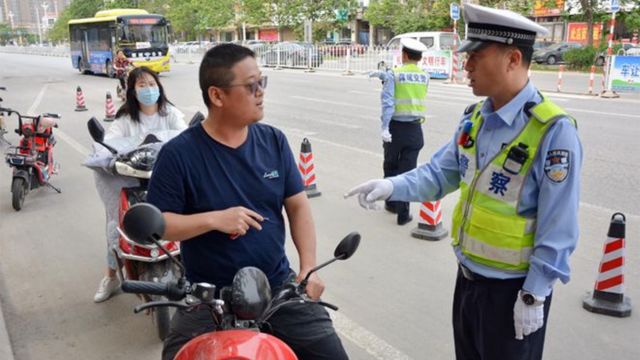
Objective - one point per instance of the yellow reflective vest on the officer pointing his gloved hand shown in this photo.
(486, 224)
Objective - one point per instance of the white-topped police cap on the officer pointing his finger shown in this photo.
(486, 25)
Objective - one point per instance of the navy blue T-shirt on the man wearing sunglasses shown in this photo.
(194, 173)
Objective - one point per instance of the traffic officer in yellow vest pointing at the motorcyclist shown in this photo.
(516, 159)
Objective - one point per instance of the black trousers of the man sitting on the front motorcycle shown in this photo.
(306, 328)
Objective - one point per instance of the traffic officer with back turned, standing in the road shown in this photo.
(403, 99)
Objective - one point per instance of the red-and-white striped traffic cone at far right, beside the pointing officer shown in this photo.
(608, 294)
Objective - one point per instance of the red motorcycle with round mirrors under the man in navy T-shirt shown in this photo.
(241, 309)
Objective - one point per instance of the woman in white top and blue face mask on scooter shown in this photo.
(146, 110)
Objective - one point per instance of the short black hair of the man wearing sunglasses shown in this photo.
(215, 68)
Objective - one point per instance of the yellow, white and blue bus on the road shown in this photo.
(142, 37)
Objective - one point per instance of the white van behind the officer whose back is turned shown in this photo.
(436, 60)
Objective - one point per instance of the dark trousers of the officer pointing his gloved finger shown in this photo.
(483, 321)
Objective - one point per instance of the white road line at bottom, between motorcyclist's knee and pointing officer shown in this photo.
(365, 339)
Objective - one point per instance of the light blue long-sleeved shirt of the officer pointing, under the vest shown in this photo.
(554, 200)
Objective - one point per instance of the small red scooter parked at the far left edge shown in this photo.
(32, 160)
